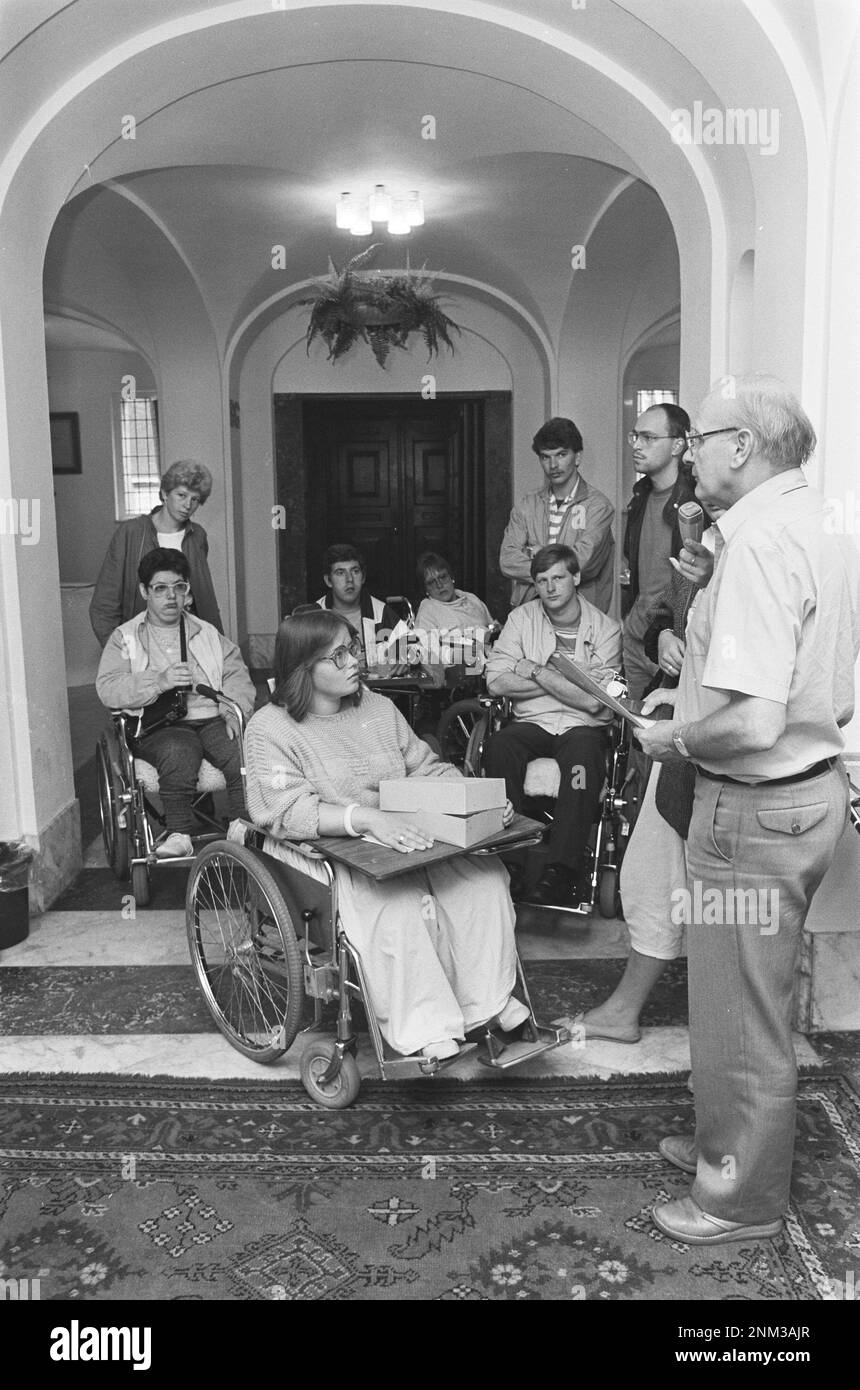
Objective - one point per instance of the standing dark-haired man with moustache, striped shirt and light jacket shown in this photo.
(566, 511)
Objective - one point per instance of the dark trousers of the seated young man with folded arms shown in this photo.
(581, 757)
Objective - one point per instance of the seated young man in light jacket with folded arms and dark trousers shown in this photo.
(552, 717)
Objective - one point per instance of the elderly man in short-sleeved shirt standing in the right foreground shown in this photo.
(768, 685)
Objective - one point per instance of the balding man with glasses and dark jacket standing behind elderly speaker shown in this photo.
(652, 536)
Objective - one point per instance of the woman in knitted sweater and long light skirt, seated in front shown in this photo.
(437, 945)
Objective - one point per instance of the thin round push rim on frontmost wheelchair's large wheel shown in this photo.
(241, 956)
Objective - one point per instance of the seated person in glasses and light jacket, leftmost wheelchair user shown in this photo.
(152, 667)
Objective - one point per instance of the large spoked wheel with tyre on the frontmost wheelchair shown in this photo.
(245, 950)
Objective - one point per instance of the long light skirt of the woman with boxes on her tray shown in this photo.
(437, 945)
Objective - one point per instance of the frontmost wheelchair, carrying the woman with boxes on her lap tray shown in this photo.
(265, 936)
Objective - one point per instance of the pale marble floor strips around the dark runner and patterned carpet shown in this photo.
(88, 940)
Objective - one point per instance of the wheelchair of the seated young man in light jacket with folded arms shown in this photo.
(463, 736)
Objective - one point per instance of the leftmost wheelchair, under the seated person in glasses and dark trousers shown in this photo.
(129, 817)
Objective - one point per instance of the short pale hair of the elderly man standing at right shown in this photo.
(763, 405)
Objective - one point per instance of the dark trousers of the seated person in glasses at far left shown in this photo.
(177, 753)
